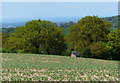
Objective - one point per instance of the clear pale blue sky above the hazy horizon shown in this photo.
(22, 10)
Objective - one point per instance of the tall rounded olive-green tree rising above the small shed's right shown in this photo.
(88, 30)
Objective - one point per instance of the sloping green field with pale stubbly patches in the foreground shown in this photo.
(35, 67)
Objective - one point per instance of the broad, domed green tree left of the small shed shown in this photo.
(37, 36)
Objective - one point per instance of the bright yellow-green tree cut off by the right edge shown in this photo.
(113, 44)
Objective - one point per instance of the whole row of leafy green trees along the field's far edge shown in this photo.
(91, 36)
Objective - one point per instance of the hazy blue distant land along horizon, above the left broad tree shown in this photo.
(7, 23)
